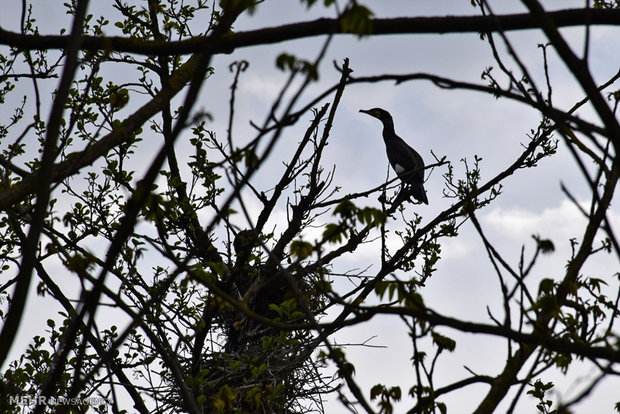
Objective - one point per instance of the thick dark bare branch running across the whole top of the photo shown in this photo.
(324, 26)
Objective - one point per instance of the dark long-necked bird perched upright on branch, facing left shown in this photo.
(405, 161)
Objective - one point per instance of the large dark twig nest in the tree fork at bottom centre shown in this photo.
(258, 368)
